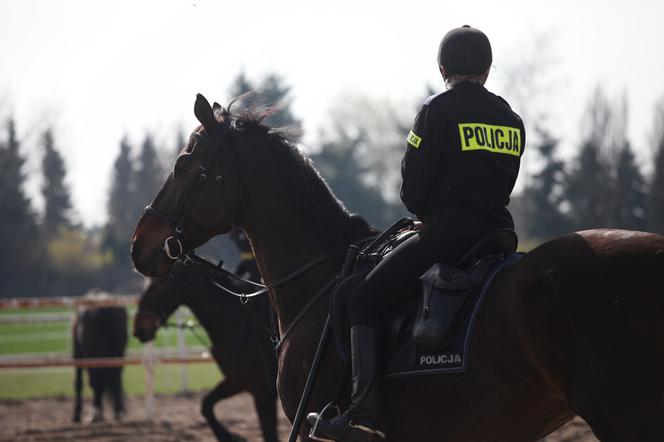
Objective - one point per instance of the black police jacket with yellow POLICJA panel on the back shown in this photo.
(461, 162)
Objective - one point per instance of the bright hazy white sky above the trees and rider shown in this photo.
(98, 69)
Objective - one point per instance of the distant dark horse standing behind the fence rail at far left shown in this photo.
(100, 332)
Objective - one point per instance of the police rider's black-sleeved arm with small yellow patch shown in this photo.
(420, 163)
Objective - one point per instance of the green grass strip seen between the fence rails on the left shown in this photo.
(55, 338)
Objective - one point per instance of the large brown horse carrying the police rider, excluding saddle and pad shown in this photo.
(573, 328)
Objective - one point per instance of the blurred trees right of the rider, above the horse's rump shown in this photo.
(602, 185)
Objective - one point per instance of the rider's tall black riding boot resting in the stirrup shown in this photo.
(361, 420)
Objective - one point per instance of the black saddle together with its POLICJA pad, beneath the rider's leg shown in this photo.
(430, 332)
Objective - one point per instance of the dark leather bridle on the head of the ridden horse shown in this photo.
(173, 245)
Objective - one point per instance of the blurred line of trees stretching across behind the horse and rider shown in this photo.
(49, 252)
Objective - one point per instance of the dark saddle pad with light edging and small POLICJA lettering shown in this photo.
(412, 360)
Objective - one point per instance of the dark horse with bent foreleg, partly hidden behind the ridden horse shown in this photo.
(240, 347)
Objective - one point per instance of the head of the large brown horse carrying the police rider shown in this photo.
(195, 203)
